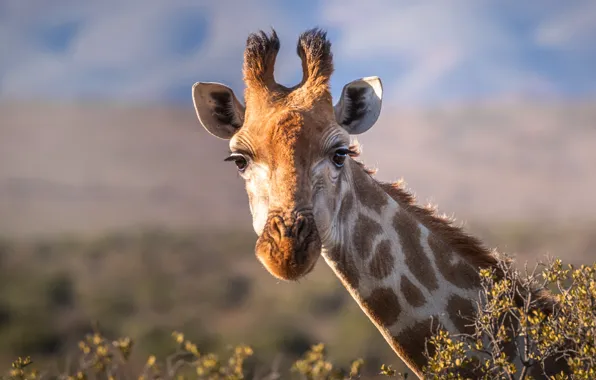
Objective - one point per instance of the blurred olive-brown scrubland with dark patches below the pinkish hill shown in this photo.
(146, 283)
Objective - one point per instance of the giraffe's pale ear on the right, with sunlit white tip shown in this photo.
(360, 105)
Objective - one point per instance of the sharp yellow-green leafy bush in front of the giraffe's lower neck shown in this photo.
(514, 307)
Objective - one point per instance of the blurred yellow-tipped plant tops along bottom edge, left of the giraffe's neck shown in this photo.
(102, 358)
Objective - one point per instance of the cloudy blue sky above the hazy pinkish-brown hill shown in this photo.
(426, 52)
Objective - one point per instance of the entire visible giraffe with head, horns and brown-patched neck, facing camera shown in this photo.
(309, 196)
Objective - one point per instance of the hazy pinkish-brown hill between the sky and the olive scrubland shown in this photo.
(94, 167)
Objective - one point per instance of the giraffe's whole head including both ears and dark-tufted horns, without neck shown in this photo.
(290, 145)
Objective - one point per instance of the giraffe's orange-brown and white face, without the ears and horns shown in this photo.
(290, 162)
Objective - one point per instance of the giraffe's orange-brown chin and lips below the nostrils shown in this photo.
(285, 259)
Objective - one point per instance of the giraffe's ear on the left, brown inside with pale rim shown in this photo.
(218, 109)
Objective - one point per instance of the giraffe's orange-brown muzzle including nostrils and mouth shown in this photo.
(289, 248)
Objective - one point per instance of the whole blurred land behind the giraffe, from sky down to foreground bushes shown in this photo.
(80, 184)
